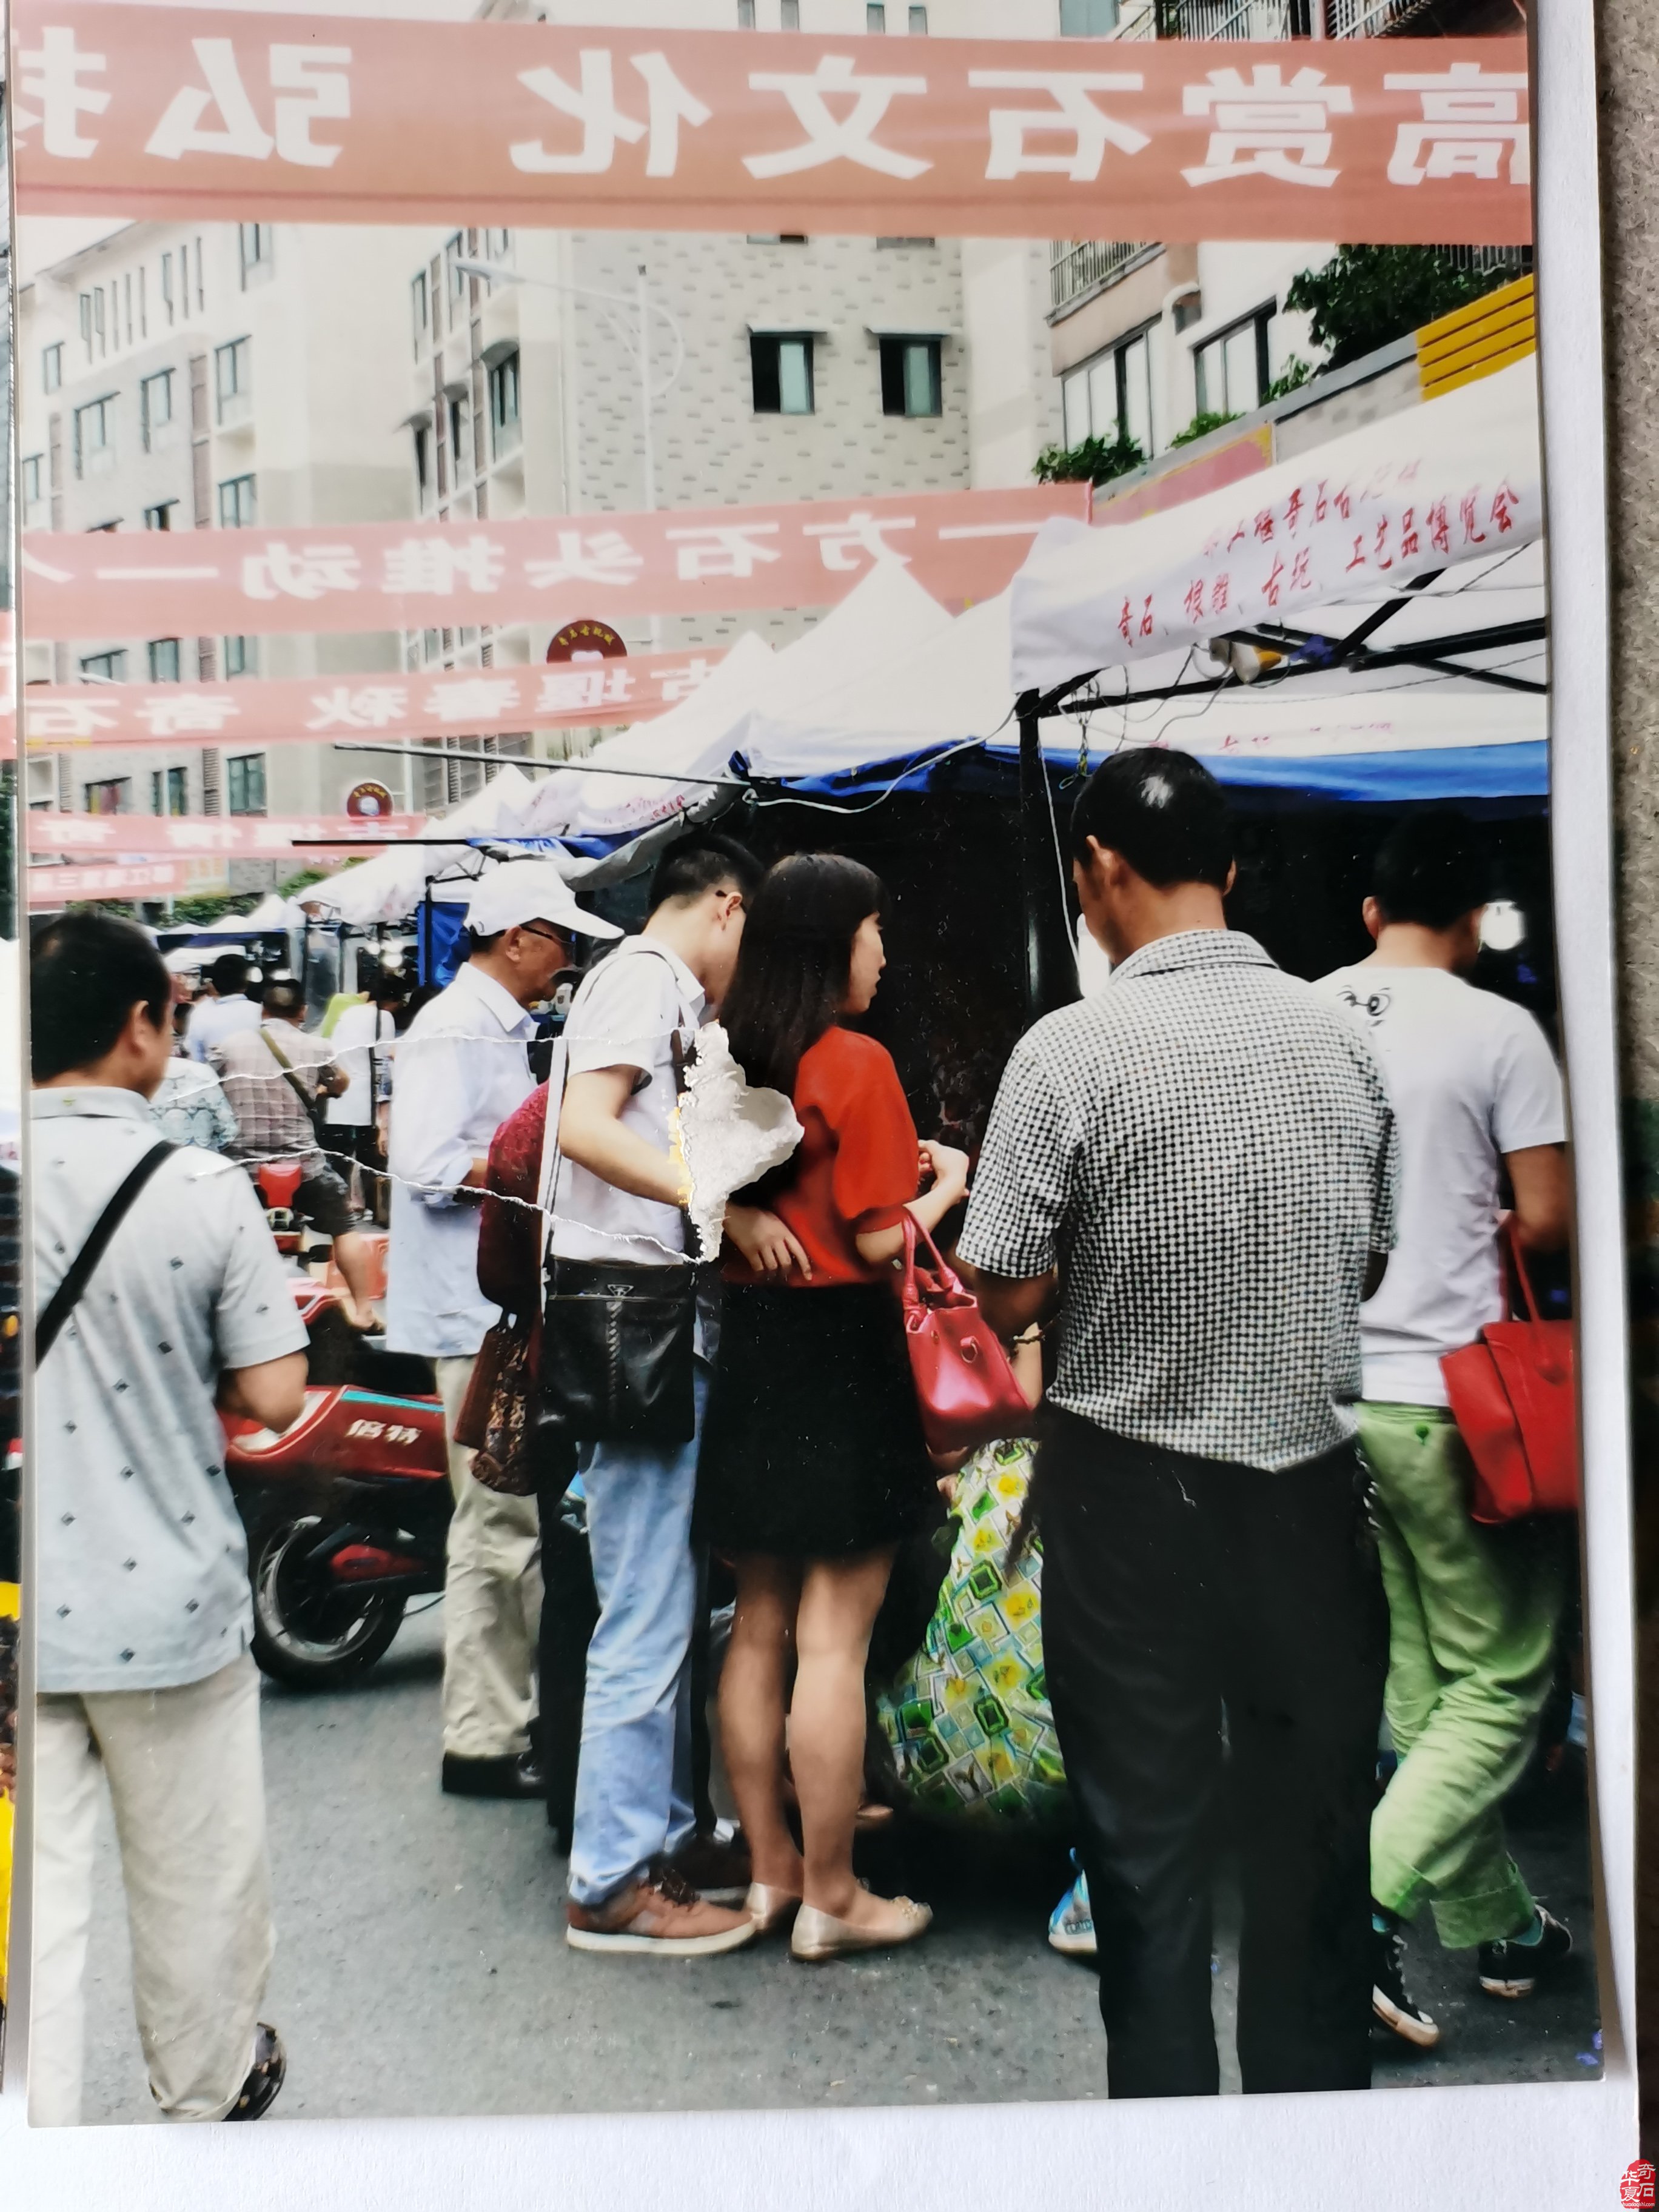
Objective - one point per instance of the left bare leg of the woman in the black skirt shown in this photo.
(755, 1684)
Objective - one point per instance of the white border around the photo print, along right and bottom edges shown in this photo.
(1527, 2147)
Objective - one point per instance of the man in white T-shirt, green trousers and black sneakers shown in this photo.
(1472, 1609)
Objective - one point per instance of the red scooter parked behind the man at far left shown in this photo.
(348, 1510)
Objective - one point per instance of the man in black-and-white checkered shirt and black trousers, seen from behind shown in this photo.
(1193, 1173)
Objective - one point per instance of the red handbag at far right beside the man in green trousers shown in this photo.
(1516, 1408)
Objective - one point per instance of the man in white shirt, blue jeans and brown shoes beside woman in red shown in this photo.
(643, 1881)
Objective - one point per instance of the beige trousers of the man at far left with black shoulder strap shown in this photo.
(189, 1797)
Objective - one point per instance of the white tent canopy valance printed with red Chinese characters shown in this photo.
(1446, 483)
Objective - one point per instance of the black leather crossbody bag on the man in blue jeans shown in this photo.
(618, 1337)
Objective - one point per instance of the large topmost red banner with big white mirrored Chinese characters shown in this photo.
(176, 112)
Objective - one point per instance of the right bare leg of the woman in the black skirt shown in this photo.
(839, 1603)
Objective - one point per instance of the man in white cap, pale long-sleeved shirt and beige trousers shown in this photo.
(463, 1070)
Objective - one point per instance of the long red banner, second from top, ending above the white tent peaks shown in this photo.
(421, 576)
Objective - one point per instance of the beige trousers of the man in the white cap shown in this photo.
(492, 1603)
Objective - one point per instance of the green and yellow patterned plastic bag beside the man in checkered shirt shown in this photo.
(968, 1720)
